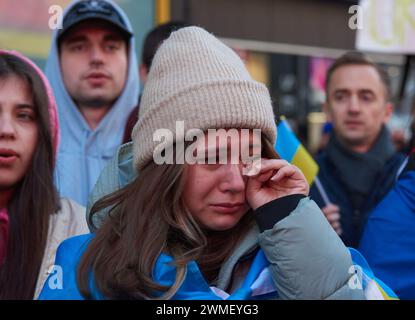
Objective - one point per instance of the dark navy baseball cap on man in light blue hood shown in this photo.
(93, 9)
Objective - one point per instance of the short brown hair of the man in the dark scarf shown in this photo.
(357, 58)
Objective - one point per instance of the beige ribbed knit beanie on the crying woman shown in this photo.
(197, 79)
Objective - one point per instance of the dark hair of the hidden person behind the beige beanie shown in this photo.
(155, 37)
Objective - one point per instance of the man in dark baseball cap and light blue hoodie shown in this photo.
(93, 71)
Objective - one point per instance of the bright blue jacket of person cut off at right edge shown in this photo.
(388, 241)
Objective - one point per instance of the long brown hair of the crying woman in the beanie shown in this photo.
(146, 218)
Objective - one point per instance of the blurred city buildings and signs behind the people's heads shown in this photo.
(286, 44)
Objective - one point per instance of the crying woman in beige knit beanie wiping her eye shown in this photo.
(208, 229)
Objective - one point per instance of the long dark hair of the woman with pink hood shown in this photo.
(35, 198)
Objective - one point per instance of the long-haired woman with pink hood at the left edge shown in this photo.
(33, 220)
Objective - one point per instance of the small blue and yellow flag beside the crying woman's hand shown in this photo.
(289, 148)
